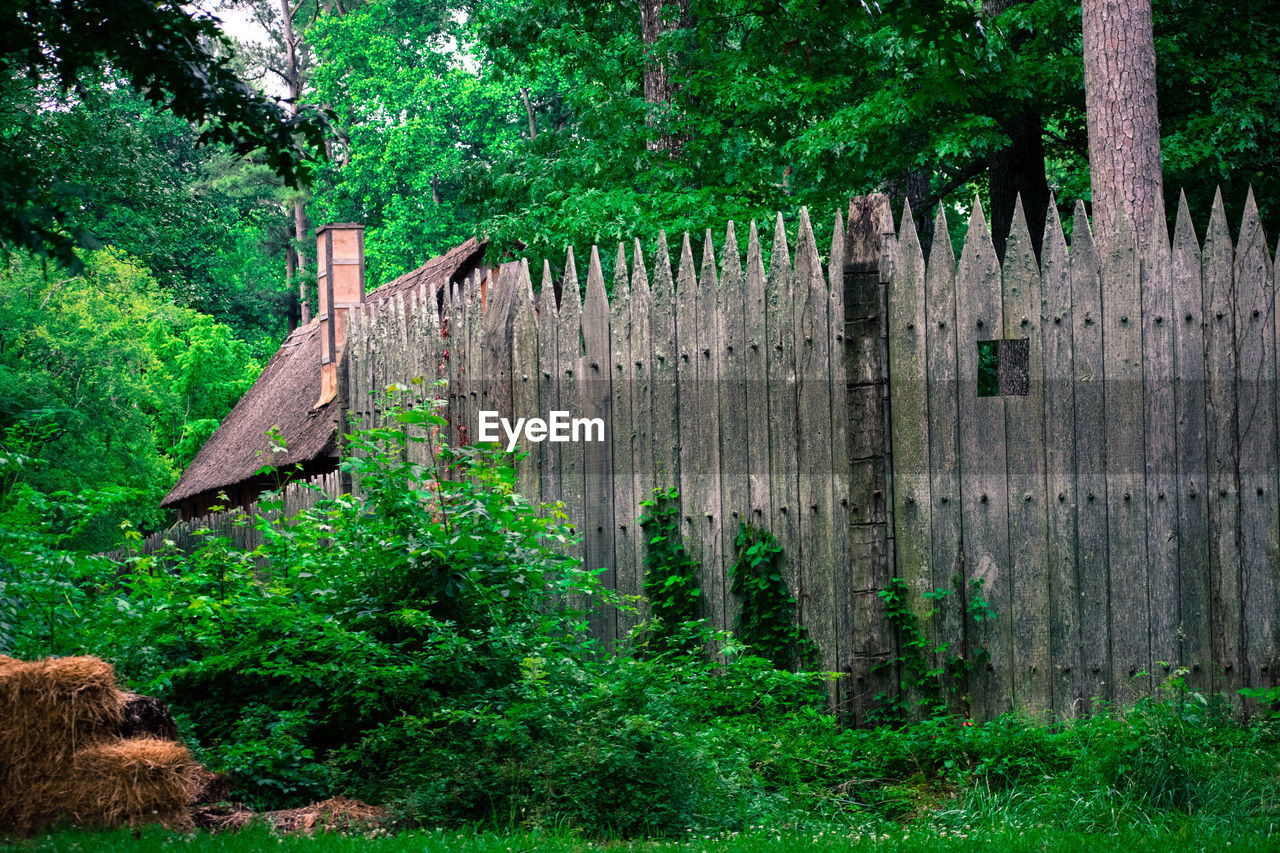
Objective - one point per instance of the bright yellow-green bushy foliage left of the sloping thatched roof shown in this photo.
(109, 385)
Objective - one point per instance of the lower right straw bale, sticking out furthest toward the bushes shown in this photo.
(129, 783)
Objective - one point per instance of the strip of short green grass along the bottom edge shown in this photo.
(1014, 841)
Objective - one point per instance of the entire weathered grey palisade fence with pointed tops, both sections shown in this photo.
(1114, 499)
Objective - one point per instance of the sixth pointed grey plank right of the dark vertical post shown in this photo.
(1091, 481)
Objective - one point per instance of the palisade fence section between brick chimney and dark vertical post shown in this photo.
(724, 381)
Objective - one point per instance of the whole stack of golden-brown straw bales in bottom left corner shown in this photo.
(62, 755)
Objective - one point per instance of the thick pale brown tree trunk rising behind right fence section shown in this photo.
(1121, 112)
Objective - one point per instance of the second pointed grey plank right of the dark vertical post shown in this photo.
(944, 464)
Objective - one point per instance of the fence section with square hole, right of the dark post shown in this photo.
(1118, 496)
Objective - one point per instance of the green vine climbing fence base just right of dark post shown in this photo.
(927, 668)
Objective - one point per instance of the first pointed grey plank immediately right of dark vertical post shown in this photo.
(909, 405)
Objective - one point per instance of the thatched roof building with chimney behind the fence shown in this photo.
(292, 396)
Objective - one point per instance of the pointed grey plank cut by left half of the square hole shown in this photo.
(985, 498)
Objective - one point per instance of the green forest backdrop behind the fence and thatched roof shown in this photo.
(159, 263)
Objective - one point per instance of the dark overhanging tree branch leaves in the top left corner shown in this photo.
(163, 52)
